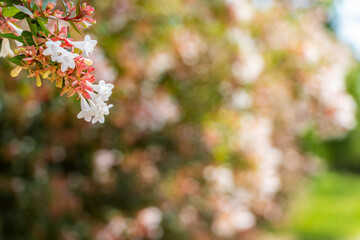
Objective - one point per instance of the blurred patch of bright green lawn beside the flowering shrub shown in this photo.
(330, 209)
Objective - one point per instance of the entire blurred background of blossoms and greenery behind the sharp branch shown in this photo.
(232, 119)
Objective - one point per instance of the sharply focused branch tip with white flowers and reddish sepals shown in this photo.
(54, 55)
